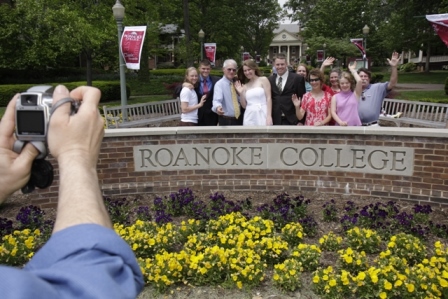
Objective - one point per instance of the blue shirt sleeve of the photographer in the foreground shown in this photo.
(83, 261)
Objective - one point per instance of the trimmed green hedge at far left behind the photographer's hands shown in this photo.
(110, 90)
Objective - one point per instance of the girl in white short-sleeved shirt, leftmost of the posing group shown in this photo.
(189, 99)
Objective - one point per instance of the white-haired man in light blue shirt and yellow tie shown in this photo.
(225, 99)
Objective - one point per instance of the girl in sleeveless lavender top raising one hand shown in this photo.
(344, 105)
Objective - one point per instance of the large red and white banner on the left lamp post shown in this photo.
(131, 45)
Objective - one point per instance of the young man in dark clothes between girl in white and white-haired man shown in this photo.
(206, 117)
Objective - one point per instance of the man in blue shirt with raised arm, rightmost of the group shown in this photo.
(373, 95)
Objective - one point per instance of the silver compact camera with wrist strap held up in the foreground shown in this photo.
(33, 112)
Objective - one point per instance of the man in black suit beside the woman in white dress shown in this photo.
(283, 85)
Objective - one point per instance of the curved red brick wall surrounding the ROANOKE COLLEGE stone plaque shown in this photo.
(427, 184)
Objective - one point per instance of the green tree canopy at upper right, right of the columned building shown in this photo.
(395, 25)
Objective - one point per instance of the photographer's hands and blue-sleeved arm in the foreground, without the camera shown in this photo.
(84, 258)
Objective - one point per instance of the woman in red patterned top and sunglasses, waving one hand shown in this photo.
(316, 103)
